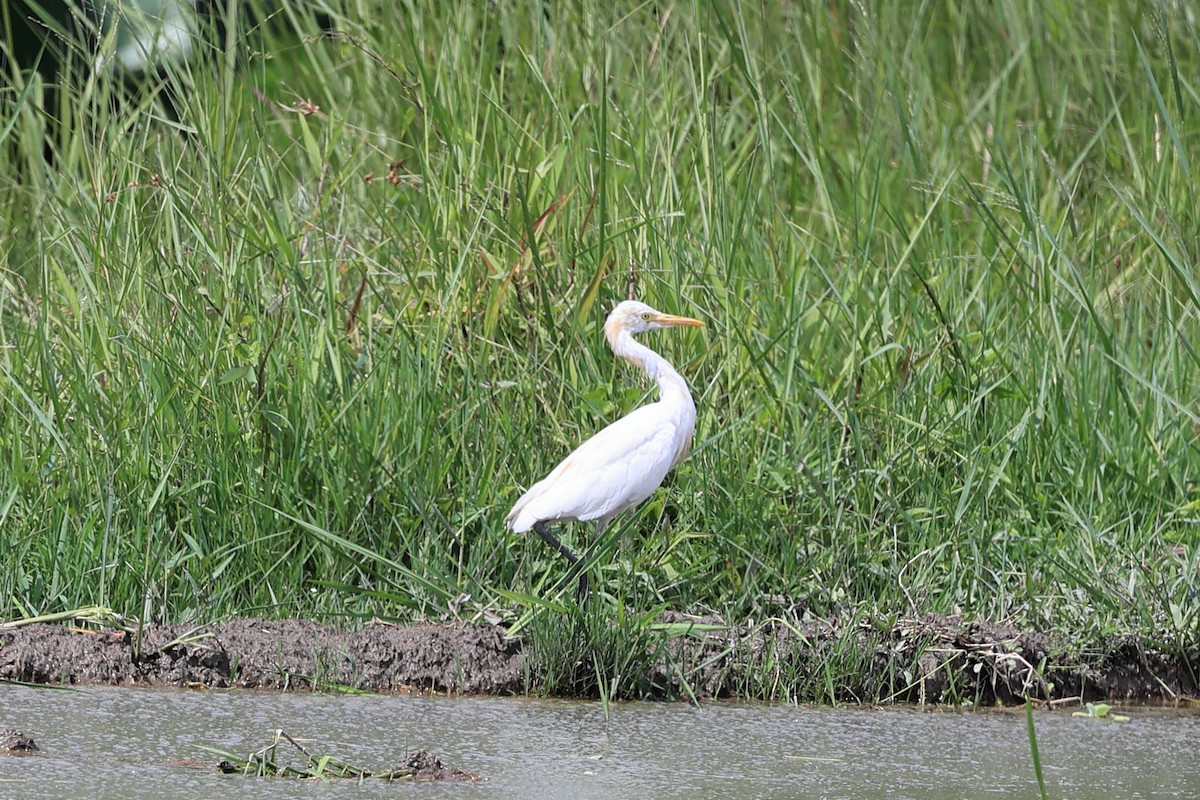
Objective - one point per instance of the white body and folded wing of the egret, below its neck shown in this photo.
(614, 471)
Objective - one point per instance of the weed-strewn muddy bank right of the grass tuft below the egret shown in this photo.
(938, 659)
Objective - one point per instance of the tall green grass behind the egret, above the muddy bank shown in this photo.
(946, 254)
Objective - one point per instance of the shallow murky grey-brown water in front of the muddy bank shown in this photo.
(127, 743)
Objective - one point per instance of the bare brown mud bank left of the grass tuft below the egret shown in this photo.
(269, 654)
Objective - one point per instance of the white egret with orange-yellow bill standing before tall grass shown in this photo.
(620, 467)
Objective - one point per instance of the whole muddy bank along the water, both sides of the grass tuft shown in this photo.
(934, 660)
